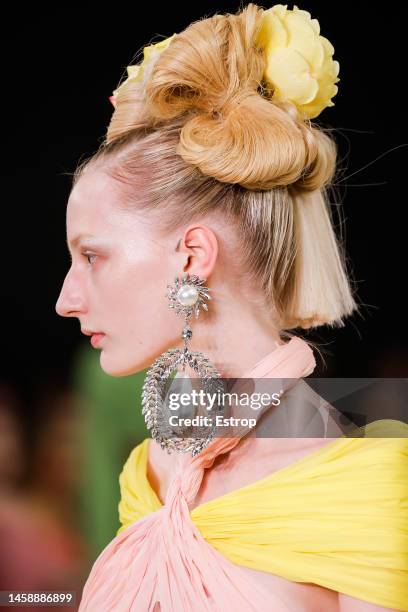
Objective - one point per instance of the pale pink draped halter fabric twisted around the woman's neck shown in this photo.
(162, 562)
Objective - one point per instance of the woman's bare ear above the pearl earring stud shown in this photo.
(198, 248)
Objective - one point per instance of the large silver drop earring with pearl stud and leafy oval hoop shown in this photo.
(187, 296)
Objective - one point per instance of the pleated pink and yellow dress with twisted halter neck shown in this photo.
(337, 518)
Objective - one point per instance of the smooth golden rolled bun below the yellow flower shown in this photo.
(256, 144)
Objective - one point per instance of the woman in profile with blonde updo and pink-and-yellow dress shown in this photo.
(213, 168)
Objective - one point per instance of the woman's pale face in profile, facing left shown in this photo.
(118, 278)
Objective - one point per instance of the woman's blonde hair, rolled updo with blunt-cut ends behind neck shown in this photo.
(202, 133)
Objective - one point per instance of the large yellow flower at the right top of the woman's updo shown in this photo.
(299, 62)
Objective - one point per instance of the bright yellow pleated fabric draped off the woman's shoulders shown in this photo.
(337, 518)
